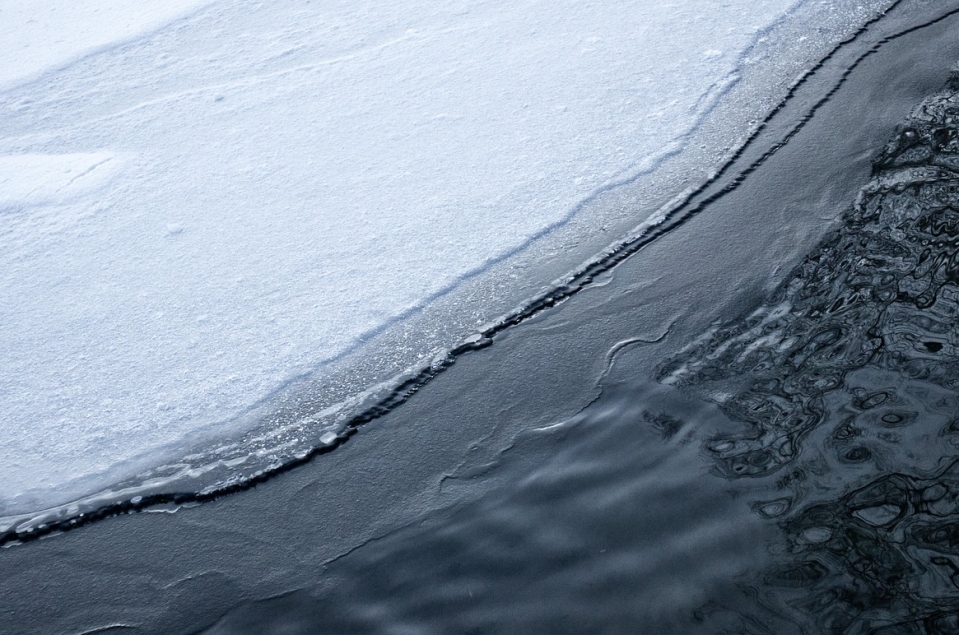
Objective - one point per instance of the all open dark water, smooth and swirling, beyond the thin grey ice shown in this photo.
(792, 470)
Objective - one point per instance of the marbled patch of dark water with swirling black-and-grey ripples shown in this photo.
(846, 382)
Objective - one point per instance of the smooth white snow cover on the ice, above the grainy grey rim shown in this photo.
(195, 215)
